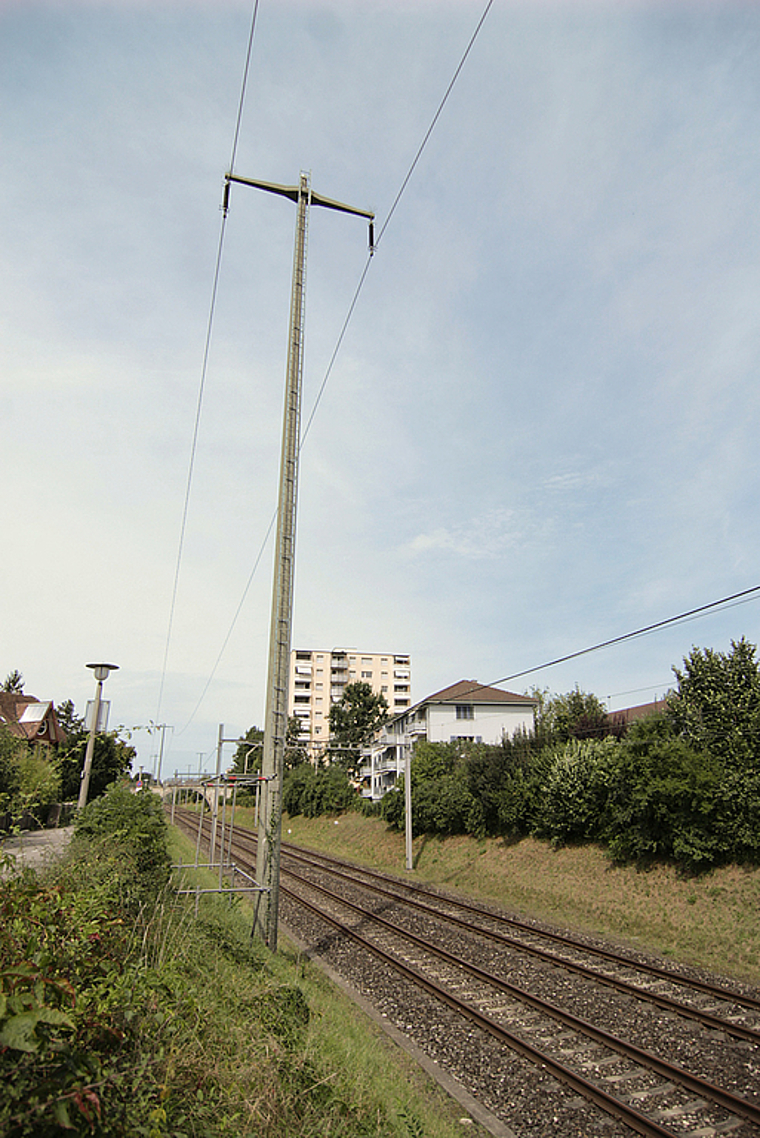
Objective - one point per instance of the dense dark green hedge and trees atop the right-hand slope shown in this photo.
(683, 786)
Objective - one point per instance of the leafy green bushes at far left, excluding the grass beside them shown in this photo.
(77, 999)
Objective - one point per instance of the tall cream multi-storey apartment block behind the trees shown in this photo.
(318, 680)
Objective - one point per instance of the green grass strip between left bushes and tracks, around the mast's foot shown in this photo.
(360, 1083)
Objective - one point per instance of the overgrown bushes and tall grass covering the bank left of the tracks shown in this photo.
(122, 1015)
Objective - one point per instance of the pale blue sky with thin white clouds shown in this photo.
(541, 428)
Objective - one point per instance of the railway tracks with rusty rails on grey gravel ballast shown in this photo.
(556, 1036)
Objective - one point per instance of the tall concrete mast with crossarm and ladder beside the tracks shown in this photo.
(270, 822)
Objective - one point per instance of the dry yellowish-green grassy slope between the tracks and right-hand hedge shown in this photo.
(712, 921)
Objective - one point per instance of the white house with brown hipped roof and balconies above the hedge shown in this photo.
(467, 711)
